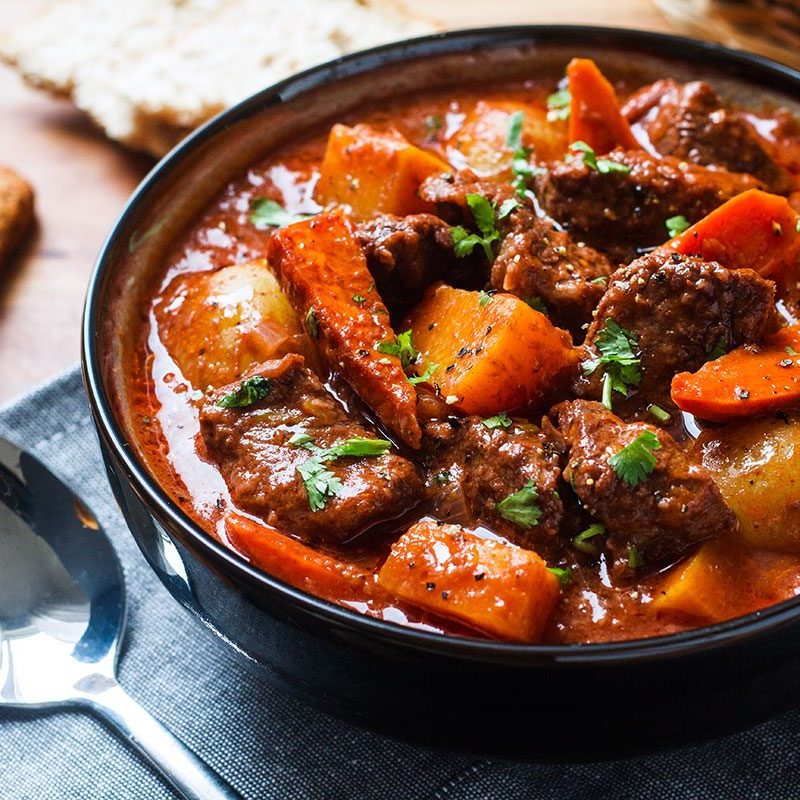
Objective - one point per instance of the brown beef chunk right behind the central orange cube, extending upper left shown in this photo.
(536, 261)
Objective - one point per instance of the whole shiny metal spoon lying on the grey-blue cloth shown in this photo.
(62, 614)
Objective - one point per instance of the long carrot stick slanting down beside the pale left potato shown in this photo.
(324, 273)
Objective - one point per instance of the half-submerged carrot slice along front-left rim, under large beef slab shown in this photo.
(295, 563)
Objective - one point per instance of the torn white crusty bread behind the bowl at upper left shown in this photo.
(149, 71)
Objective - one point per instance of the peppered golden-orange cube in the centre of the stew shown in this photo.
(488, 353)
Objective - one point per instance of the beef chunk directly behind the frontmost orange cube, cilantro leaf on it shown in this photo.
(487, 465)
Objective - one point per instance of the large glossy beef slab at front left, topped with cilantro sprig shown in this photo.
(251, 446)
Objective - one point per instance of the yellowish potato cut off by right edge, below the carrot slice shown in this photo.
(756, 464)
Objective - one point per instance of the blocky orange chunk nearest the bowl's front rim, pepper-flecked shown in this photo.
(498, 588)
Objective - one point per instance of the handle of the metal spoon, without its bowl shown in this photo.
(193, 778)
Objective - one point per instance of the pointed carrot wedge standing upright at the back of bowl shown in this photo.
(594, 115)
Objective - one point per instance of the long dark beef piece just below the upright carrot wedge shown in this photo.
(628, 209)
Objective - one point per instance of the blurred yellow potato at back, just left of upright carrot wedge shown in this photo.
(481, 143)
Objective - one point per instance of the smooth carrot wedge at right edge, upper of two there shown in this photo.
(755, 229)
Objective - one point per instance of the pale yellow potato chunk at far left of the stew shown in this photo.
(216, 324)
